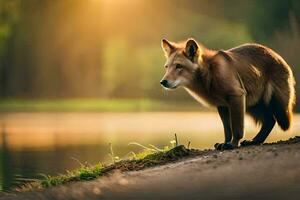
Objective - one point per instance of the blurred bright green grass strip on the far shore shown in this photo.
(91, 104)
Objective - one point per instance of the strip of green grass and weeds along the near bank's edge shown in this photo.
(149, 156)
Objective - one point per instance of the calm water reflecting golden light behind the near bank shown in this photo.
(50, 143)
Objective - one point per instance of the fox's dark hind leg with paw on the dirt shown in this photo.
(264, 115)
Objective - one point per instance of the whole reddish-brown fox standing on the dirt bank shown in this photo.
(248, 79)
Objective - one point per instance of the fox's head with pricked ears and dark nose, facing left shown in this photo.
(182, 62)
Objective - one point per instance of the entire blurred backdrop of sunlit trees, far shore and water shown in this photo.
(76, 75)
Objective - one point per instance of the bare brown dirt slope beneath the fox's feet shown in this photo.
(269, 171)
